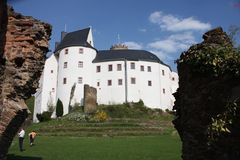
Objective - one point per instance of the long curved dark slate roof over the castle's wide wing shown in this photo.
(131, 55)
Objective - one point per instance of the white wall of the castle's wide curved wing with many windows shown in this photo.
(152, 96)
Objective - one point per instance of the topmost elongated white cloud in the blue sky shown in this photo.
(171, 23)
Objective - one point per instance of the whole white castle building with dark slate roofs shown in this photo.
(120, 75)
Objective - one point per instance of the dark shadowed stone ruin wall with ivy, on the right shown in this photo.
(201, 97)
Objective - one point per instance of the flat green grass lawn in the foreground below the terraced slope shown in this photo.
(160, 147)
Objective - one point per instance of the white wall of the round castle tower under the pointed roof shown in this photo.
(72, 72)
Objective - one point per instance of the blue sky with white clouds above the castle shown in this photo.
(165, 28)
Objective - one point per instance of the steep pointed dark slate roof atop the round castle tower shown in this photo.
(77, 38)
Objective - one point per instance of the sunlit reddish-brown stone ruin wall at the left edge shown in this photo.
(24, 44)
